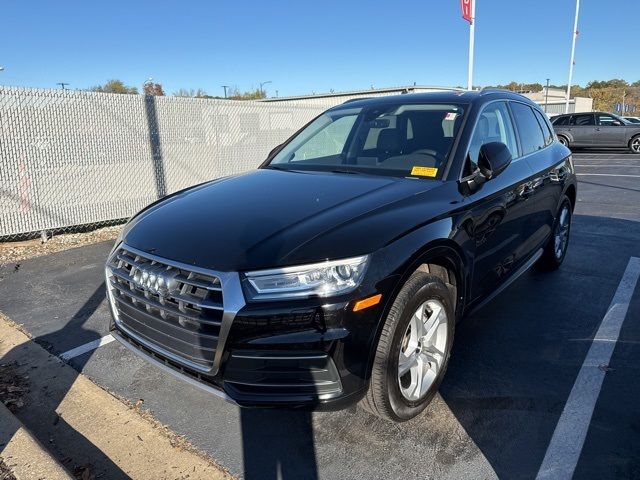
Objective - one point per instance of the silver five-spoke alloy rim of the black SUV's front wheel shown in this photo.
(422, 352)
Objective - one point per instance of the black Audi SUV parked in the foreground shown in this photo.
(336, 272)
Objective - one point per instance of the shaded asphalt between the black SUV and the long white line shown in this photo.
(514, 362)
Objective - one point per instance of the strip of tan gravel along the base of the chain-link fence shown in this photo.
(13, 252)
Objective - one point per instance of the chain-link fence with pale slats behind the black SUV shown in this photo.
(70, 158)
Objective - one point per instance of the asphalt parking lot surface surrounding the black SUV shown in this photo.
(513, 367)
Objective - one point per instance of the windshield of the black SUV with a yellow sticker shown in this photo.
(395, 140)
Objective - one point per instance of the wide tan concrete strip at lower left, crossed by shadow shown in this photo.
(90, 427)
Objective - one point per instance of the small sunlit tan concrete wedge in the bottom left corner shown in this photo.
(23, 454)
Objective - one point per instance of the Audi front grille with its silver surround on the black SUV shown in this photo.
(183, 304)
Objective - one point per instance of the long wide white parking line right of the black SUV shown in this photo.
(568, 438)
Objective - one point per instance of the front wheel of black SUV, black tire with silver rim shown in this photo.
(394, 397)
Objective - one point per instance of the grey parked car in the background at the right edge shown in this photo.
(596, 130)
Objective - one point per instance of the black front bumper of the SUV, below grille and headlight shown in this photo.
(297, 365)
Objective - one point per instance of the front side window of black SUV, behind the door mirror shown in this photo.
(494, 125)
